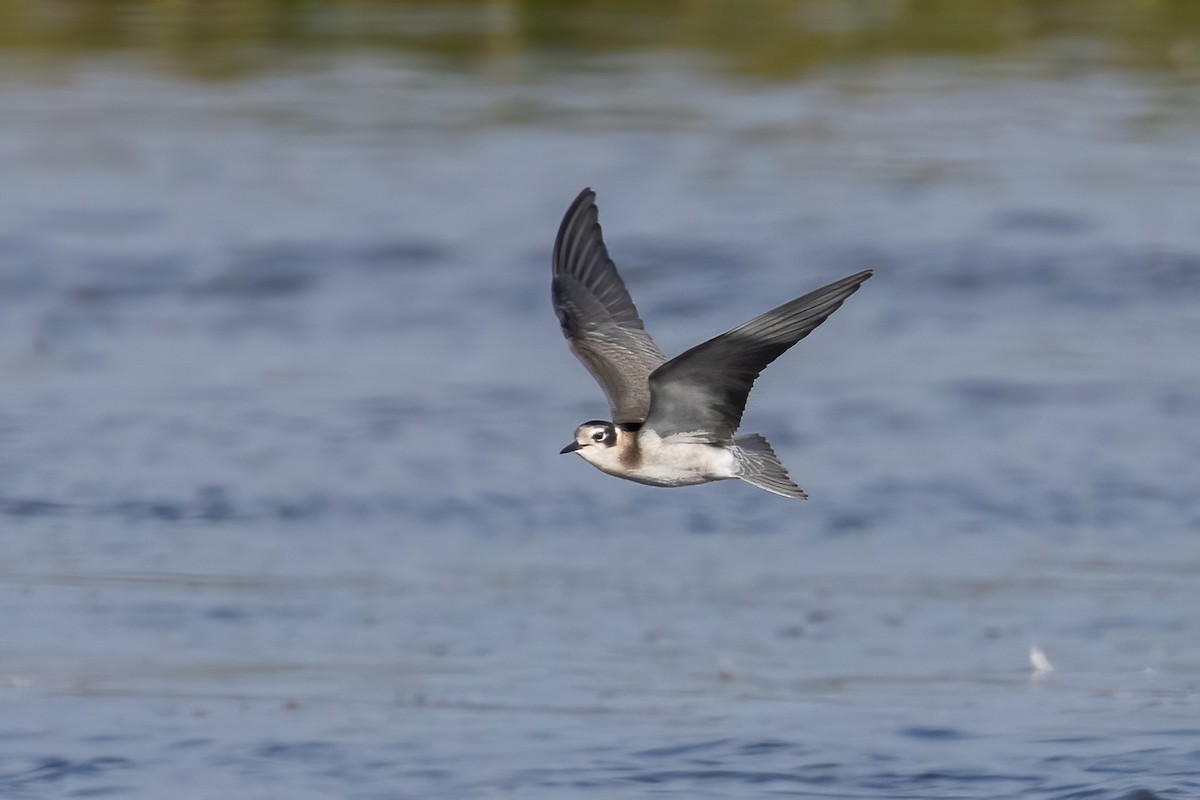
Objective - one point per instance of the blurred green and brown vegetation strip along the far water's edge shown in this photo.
(771, 39)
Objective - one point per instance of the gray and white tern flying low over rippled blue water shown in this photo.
(674, 423)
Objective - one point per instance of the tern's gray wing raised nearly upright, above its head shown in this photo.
(598, 316)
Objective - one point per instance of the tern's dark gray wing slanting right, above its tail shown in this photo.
(705, 390)
